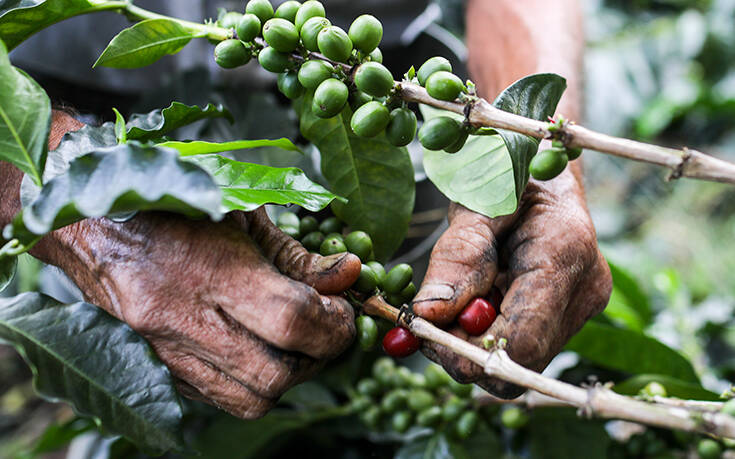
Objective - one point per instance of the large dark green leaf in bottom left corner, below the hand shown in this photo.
(81, 355)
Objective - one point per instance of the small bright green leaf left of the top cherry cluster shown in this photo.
(144, 43)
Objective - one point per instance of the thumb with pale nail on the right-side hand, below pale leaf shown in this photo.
(463, 265)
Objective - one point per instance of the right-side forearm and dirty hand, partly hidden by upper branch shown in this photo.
(544, 258)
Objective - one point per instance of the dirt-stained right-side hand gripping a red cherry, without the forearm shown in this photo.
(544, 258)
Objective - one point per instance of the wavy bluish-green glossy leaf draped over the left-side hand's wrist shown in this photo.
(120, 179)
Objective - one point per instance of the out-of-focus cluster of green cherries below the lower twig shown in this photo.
(395, 398)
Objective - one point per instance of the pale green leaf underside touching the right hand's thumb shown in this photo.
(480, 176)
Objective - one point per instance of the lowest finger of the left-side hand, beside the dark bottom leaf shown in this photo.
(214, 387)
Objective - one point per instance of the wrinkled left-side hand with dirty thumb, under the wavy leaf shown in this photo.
(237, 310)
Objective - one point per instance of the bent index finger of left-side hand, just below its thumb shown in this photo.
(288, 314)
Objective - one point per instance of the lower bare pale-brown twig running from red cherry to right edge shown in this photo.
(596, 400)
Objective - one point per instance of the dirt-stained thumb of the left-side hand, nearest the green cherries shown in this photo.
(328, 275)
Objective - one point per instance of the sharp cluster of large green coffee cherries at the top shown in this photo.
(292, 34)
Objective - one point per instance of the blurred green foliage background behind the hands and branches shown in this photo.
(656, 70)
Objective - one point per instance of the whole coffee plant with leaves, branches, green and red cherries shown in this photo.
(352, 109)
